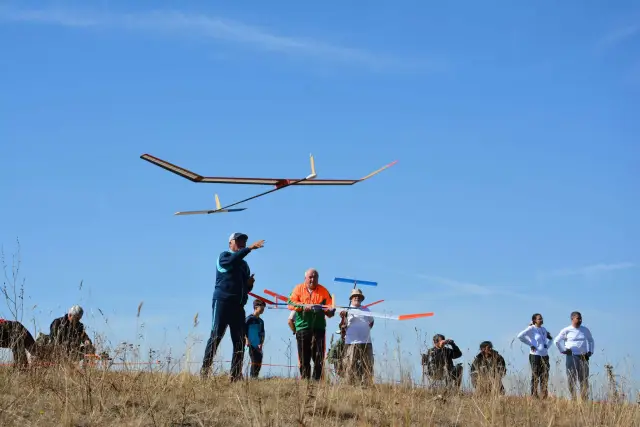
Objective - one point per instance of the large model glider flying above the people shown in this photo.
(278, 183)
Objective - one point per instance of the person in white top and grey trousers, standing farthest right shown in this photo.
(577, 344)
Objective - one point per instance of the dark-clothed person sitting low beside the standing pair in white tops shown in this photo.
(487, 370)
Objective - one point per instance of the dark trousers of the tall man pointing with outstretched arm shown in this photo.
(226, 314)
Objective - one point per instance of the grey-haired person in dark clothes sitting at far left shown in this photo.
(68, 335)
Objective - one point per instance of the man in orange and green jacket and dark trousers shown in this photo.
(310, 323)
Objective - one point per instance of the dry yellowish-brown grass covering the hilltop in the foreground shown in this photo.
(72, 396)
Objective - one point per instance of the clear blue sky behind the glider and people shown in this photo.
(515, 189)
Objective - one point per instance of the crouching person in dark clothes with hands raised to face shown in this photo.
(438, 362)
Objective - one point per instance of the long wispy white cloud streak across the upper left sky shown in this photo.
(214, 28)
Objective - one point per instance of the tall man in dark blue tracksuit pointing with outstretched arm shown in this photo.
(233, 282)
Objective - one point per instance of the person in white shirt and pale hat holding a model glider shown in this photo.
(359, 350)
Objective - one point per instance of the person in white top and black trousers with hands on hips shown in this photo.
(538, 339)
